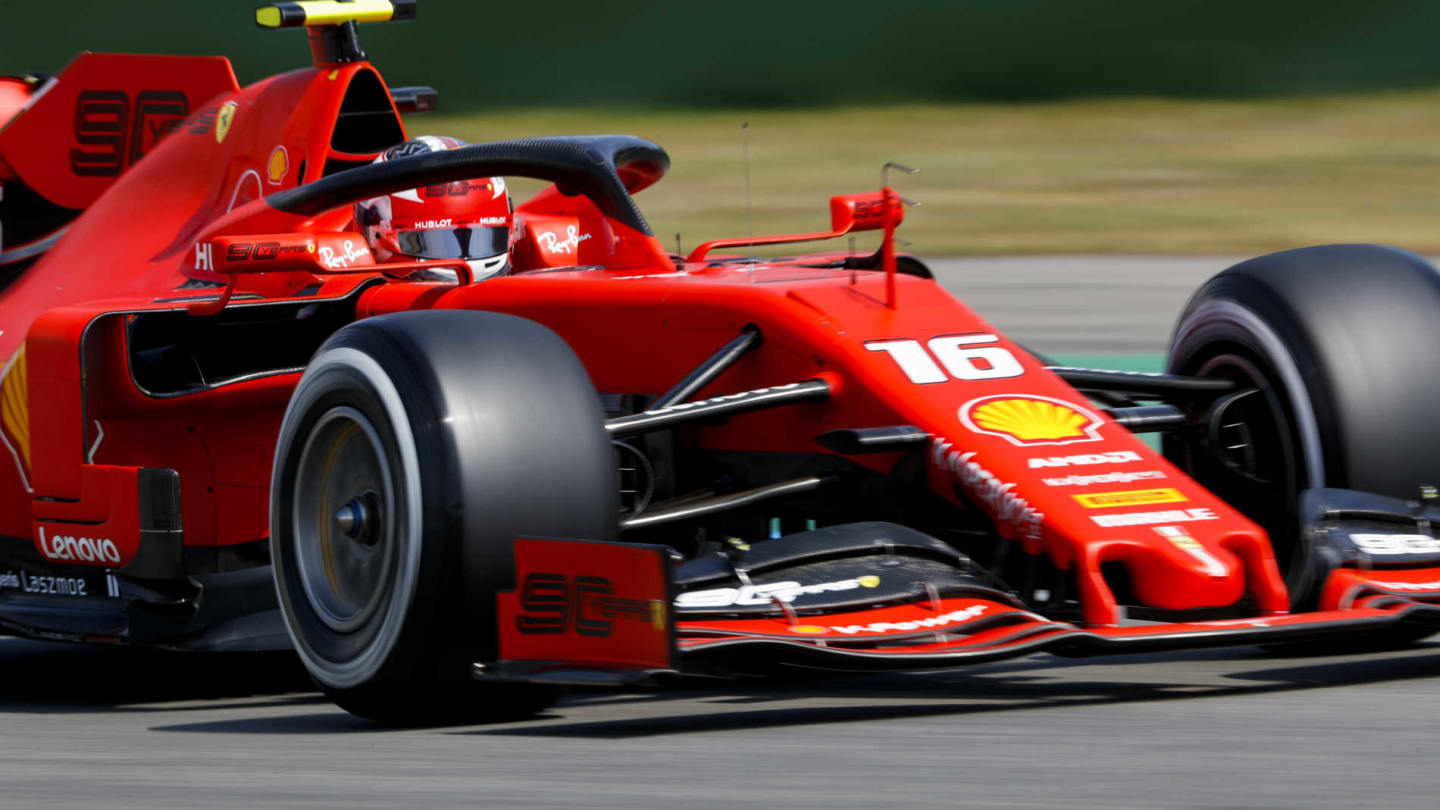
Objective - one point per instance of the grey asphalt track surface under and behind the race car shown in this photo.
(1233, 729)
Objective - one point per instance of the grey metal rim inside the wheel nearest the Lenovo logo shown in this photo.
(345, 521)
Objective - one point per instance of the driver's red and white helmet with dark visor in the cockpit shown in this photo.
(463, 220)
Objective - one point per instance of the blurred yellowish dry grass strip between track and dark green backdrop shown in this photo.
(1138, 177)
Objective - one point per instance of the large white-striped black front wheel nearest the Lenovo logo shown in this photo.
(415, 449)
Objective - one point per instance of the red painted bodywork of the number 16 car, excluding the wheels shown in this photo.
(172, 165)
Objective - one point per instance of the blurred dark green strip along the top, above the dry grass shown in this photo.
(767, 53)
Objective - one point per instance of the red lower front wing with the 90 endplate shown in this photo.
(930, 631)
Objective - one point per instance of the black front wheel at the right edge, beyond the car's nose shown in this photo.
(1338, 344)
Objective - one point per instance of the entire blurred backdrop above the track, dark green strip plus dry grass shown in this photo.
(1040, 126)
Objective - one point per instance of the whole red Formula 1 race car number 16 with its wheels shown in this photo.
(227, 426)
